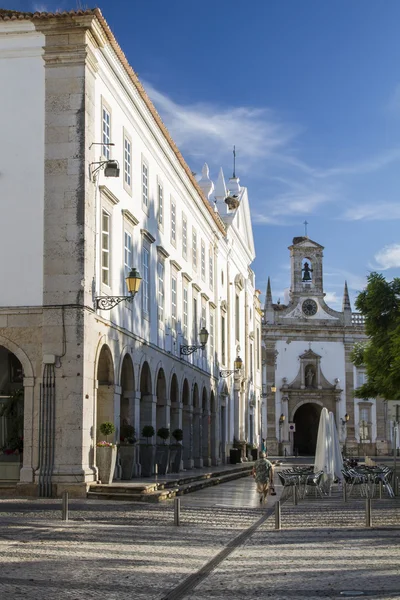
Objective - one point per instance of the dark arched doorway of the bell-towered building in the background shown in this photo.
(306, 420)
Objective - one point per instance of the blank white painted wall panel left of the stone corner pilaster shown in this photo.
(21, 164)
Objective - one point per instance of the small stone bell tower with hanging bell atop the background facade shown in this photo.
(306, 259)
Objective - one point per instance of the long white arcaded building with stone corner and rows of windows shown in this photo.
(72, 233)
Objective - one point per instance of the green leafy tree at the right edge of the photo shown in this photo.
(380, 305)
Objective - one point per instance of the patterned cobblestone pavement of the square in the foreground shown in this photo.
(110, 549)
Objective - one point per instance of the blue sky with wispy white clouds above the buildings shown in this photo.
(308, 91)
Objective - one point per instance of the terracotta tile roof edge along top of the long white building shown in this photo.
(13, 15)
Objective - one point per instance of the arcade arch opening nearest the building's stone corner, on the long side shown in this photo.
(105, 410)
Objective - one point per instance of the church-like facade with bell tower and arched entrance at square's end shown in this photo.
(307, 366)
